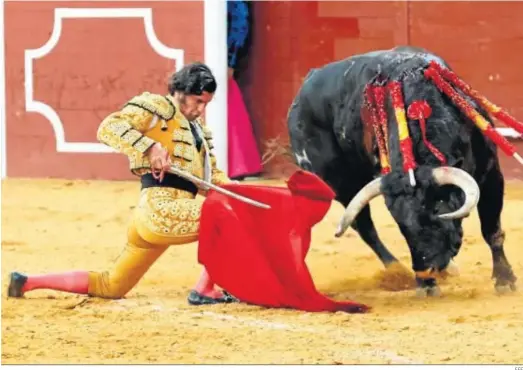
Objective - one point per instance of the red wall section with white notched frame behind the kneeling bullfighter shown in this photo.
(96, 65)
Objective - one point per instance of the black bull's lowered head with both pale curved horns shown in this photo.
(425, 214)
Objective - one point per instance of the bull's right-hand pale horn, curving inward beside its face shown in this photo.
(460, 178)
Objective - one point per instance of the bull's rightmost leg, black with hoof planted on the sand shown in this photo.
(490, 206)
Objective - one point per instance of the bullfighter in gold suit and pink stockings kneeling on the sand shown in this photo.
(155, 132)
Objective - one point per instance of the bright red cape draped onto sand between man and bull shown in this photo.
(258, 255)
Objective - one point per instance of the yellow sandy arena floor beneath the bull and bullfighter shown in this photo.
(42, 232)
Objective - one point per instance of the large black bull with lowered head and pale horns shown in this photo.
(328, 138)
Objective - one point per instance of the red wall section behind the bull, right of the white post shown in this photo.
(479, 39)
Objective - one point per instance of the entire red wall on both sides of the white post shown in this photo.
(95, 67)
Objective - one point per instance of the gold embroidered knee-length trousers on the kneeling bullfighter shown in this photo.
(163, 217)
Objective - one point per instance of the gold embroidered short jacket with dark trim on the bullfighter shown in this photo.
(149, 118)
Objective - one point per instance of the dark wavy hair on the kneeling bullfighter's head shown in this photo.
(193, 79)
